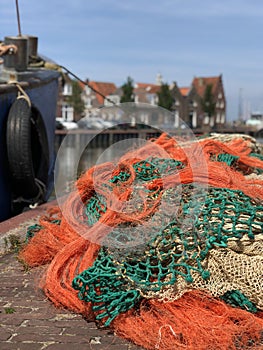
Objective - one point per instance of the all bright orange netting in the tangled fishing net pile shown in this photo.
(193, 321)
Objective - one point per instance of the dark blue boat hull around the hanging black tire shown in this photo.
(42, 88)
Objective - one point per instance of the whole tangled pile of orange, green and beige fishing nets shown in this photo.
(165, 247)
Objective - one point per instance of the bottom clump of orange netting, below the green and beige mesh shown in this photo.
(195, 321)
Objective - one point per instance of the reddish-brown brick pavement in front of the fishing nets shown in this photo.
(28, 321)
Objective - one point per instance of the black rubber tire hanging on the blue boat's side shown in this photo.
(27, 150)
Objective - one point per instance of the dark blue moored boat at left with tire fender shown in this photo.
(28, 101)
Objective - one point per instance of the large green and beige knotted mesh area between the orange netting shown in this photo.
(208, 250)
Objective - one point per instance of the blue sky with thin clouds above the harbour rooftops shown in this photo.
(109, 40)
